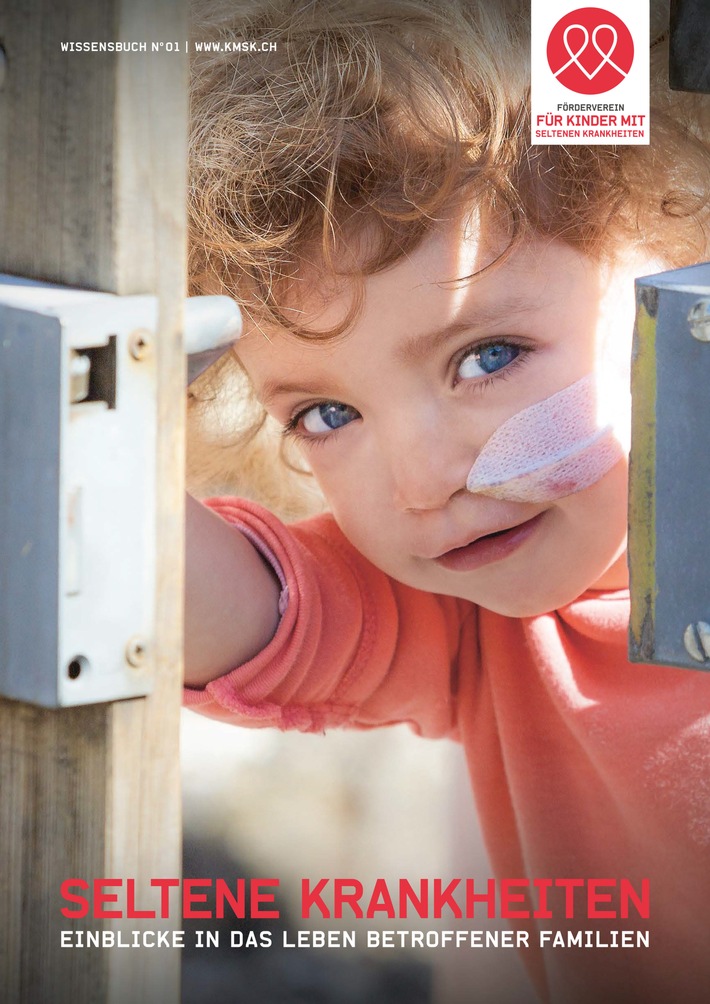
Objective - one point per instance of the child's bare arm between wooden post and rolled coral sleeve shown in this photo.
(231, 598)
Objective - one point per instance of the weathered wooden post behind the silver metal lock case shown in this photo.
(93, 182)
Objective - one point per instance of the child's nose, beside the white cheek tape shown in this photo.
(429, 464)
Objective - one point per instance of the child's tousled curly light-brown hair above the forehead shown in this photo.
(378, 118)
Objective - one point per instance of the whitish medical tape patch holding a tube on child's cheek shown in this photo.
(555, 448)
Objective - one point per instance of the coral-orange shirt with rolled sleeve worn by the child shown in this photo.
(583, 765)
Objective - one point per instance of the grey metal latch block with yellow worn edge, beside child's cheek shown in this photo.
(669, 541)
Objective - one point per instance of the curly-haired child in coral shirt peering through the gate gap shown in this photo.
(435, 311)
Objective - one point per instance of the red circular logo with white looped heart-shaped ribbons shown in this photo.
(590, 51)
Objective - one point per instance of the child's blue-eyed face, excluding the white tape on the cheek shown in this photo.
(392, 416)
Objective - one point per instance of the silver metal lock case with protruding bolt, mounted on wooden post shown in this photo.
(78, 487)
